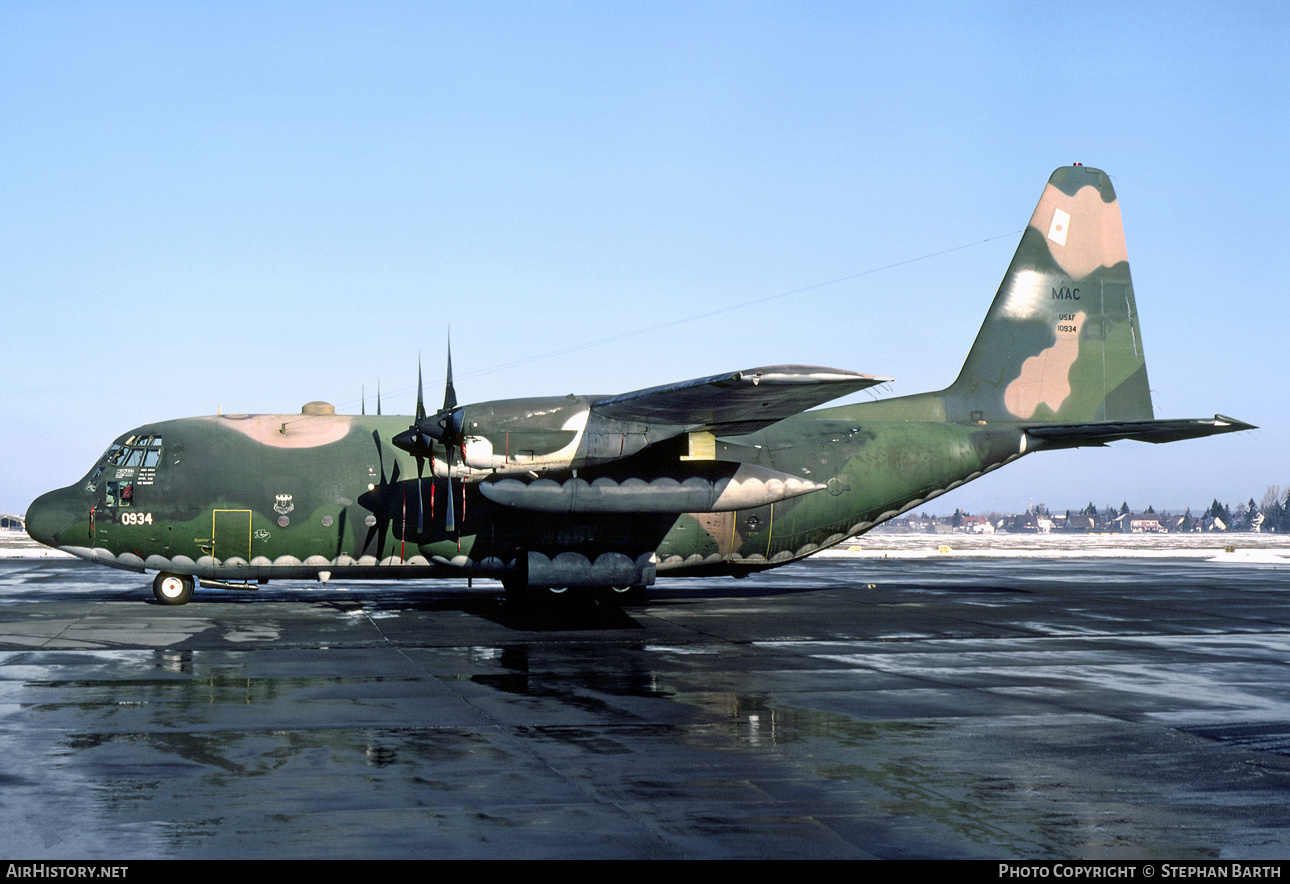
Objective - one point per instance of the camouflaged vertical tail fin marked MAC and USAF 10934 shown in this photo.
(1061, 341)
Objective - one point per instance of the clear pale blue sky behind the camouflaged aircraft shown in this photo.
(251, 206)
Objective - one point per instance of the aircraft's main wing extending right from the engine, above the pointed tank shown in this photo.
(739, 403)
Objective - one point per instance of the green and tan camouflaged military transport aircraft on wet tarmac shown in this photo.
(719, 476)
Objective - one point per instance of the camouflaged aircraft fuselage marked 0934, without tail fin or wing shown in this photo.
(239, 499)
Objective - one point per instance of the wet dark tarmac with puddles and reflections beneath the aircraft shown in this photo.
(1088, 709)
